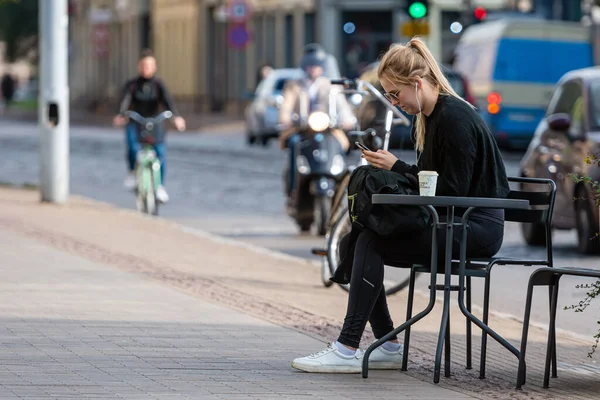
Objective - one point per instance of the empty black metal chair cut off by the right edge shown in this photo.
(550, 277)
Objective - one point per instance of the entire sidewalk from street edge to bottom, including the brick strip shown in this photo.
(101, 302)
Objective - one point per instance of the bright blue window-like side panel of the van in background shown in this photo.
(539, 61)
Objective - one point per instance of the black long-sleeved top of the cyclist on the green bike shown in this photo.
(146, 96)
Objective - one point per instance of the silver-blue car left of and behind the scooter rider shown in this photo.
(262, 114)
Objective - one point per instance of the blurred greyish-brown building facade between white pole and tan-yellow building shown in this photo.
(105, 40)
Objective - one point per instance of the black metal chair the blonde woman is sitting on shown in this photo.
(540, 212)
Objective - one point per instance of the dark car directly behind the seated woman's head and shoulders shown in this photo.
(371, 113)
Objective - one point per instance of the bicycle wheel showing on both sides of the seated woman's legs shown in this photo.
(395, 279)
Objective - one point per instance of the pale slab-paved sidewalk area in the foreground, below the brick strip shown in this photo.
(74, 329)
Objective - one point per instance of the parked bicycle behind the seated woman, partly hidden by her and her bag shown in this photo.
(340, 225)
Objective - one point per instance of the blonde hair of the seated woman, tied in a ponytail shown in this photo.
(402, 64)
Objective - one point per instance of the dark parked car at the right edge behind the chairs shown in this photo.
(564, 138)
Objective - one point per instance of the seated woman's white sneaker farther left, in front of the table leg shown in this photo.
(331, 361)
